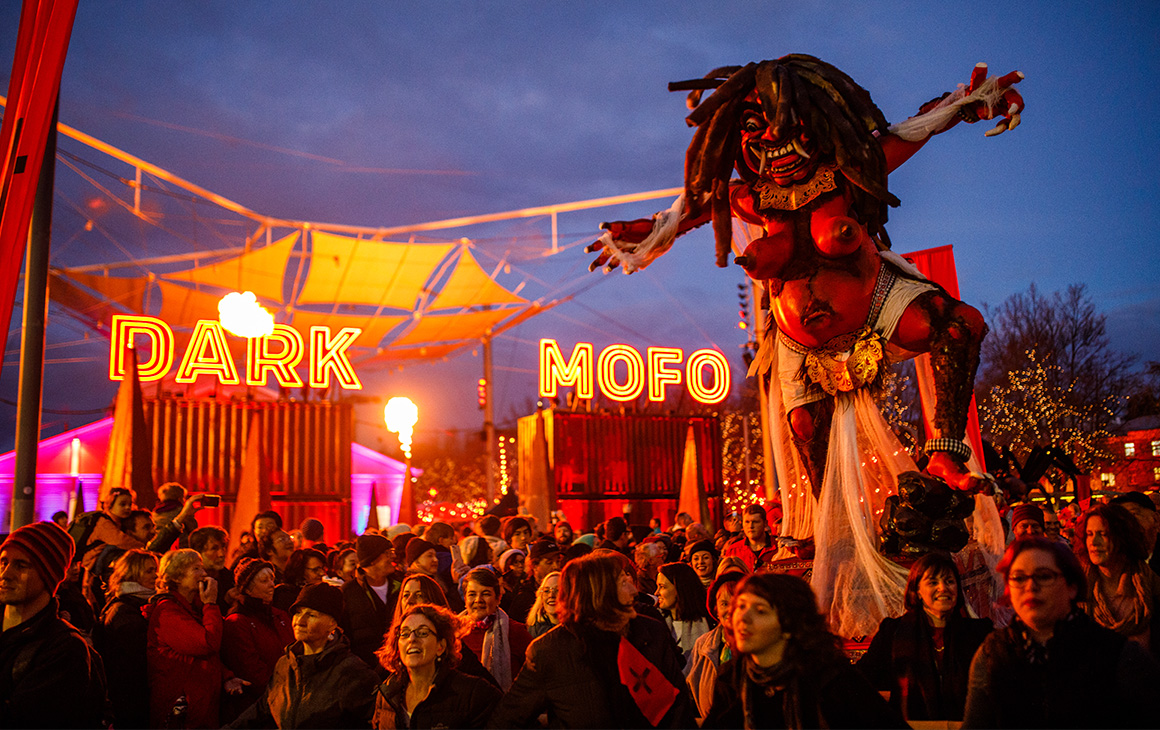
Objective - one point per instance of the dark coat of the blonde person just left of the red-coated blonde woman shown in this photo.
(121, 640)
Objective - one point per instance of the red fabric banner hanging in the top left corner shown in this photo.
(42, 44)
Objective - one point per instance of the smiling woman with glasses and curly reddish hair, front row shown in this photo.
(425, 689)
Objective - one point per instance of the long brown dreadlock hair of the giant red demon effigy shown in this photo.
(836, 112)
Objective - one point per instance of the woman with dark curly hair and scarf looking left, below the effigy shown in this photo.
(789, 671)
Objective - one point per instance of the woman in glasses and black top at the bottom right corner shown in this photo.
(1055, 667)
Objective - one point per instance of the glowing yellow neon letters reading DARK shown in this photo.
(208, 353)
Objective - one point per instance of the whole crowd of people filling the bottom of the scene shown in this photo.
(135, 619)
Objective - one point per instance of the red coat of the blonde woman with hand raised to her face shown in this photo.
(184, 656)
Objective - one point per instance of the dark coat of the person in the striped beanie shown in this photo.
(50, 677)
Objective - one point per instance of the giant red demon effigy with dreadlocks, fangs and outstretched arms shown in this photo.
(813, 155)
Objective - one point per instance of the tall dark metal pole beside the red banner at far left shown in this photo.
(32, 343)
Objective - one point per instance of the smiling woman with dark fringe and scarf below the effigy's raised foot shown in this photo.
(924, 657)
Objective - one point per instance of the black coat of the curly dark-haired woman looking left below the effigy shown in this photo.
(831, 696)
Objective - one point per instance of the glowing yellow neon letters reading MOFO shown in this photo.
(656, 371)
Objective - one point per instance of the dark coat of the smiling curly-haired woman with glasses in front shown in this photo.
(456, 700)
